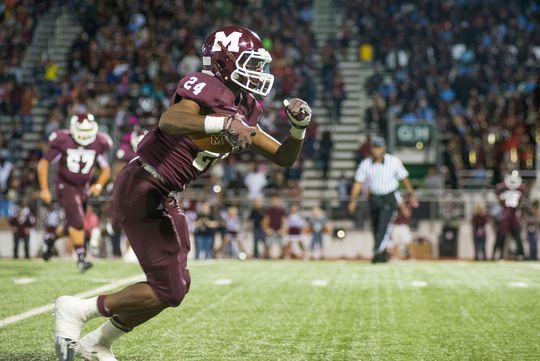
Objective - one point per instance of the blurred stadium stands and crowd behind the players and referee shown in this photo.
(453, 86)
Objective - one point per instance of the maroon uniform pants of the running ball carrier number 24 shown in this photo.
(156, 229)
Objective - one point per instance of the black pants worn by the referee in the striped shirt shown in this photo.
(383, 210)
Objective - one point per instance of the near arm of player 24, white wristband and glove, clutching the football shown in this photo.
(183, 118)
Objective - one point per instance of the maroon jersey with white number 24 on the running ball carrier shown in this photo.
(176, 157)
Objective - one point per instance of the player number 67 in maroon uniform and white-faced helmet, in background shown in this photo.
(76, 152)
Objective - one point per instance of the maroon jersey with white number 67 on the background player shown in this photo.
(76, 163)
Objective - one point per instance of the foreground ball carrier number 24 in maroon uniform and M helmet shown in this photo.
(216, 101)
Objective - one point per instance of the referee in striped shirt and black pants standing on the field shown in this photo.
(381, 173)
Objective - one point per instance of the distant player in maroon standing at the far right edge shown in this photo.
(510, 193)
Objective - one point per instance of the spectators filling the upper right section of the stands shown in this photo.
(469, 67)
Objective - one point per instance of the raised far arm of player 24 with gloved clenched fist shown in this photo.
(286, 153)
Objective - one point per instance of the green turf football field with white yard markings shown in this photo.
(302, 311)
